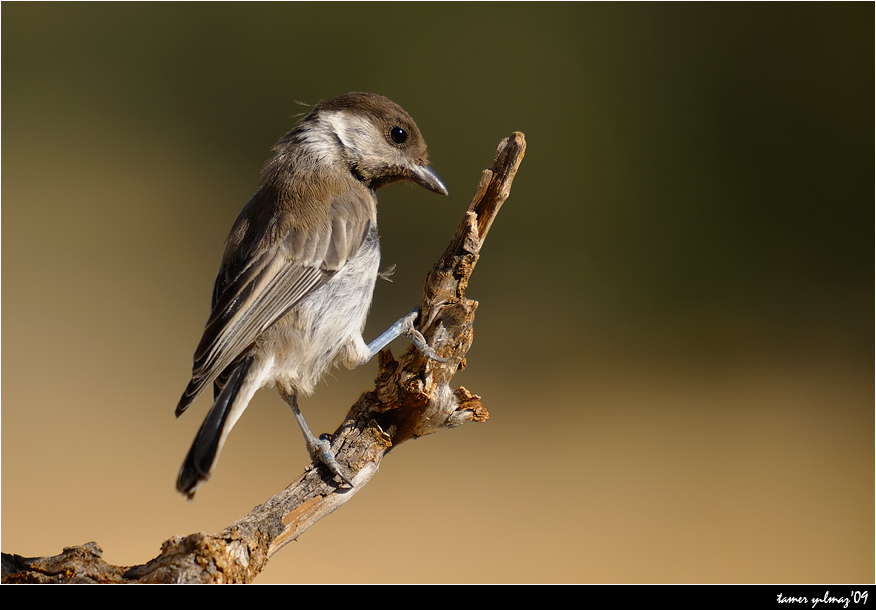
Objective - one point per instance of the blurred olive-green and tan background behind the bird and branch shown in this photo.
(675, 332)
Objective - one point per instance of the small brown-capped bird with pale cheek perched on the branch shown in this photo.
(299, 269)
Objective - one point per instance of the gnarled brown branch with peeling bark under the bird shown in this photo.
(412, 397)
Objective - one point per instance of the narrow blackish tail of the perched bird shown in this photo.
(199, 463)
